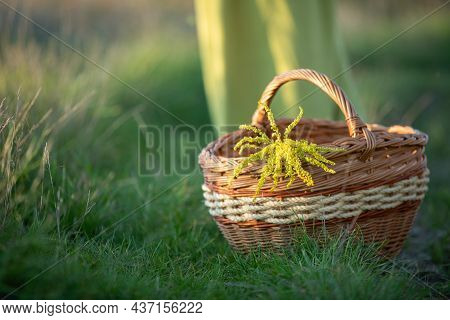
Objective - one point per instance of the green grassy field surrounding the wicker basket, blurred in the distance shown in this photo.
(77, 219)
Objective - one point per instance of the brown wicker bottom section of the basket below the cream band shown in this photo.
(388, 227)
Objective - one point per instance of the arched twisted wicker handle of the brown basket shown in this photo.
(355, 125)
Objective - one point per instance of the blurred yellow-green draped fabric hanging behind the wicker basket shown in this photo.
(243, 44)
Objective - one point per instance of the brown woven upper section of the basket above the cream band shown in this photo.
(397, 155)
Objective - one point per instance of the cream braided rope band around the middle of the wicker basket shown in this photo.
(340, 205)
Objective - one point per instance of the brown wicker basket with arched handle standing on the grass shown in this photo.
(380, 181)
